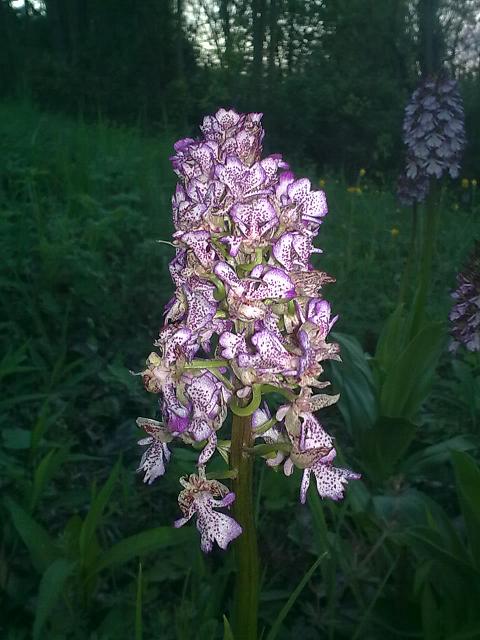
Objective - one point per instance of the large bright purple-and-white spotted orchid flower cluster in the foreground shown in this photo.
(247, 318)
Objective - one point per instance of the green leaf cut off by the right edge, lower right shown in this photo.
(467, 477)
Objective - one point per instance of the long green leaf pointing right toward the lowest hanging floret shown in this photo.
(141, 544)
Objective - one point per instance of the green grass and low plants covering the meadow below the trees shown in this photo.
(83, 284)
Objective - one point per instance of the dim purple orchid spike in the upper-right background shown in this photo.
(434, 134)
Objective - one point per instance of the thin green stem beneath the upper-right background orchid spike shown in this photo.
(426, 260)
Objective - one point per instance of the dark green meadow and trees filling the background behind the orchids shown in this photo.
(93, 94)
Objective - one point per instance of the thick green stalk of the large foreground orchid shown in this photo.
(245, 605)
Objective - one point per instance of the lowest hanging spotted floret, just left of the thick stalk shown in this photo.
(202, 497)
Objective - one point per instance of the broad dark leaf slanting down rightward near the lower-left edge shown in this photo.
(42, 548)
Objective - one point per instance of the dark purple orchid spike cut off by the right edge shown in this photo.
(465, 314)
